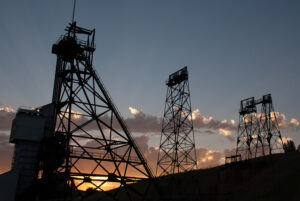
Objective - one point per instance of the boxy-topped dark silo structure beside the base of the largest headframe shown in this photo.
(27, 134)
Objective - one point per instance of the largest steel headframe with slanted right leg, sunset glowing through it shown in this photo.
(92, 149)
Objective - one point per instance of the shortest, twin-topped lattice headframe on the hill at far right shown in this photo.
(258, 133)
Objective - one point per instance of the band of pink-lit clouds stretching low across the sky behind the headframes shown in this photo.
(145, 123)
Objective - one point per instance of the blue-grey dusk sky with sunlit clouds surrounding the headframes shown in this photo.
(233, 50)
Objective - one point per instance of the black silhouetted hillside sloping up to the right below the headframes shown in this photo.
(262, 179)
